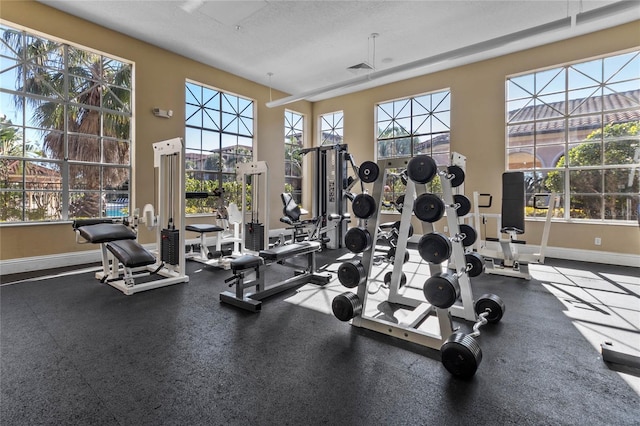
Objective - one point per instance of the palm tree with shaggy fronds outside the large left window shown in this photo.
(97, 112)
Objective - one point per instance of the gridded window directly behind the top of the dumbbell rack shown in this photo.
(414, 126)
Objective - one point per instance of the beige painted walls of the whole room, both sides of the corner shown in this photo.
(477, 120)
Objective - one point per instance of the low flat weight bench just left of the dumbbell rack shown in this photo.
(248, 264)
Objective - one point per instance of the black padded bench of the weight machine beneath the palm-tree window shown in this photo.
(120, 241)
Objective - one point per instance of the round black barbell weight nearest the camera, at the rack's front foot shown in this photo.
(461, 355)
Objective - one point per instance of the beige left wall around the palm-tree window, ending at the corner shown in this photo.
(159, 82)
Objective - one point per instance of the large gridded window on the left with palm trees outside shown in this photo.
(65, 122)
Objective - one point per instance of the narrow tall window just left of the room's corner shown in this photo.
(293, 143)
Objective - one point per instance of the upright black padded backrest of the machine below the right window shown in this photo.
(513, 202)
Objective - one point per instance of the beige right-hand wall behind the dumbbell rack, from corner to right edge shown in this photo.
(478, 127)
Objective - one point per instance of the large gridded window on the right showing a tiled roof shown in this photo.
(575, 130)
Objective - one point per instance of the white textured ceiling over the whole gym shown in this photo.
(307, 46)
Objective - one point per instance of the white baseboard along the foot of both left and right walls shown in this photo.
(36, 263)
